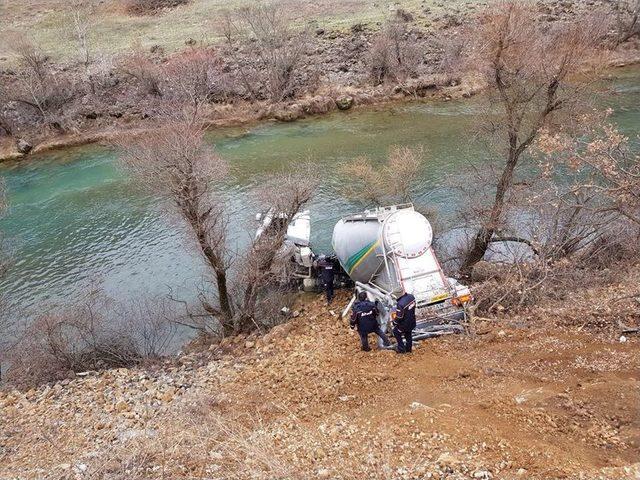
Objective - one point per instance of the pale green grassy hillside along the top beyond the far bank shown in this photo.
(49, 24)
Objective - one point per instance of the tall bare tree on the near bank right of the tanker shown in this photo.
(532, 72)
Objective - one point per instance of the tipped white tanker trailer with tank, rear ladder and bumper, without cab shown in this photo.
(387, 251)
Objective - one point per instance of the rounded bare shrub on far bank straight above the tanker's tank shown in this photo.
(394, 54)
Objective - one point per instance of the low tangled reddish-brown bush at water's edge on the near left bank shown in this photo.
(83, 338)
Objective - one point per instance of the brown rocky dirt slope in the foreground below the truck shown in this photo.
(542, 398)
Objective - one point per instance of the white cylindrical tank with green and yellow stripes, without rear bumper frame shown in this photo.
(390, 249)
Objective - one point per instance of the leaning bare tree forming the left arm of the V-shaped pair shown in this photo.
(174, 161)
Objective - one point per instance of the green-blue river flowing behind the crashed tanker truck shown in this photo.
(76, 220)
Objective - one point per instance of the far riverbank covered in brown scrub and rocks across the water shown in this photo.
(336, 70)
